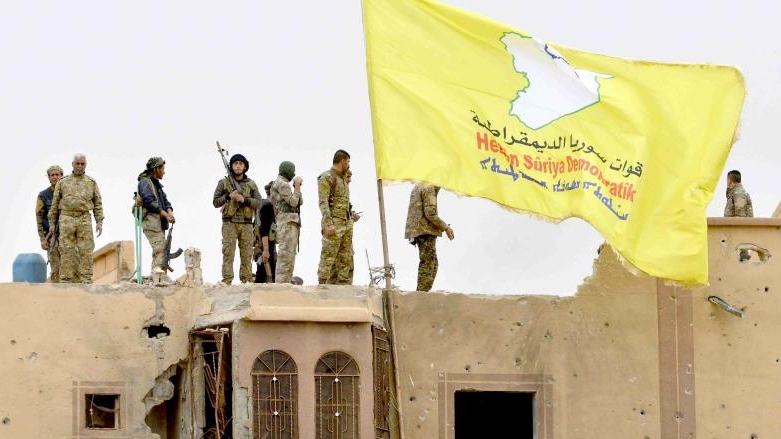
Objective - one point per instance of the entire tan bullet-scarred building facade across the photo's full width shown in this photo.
(627, 356)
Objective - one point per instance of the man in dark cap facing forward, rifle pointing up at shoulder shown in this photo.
(238, 209)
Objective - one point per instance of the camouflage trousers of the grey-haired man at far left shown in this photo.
(76, 247)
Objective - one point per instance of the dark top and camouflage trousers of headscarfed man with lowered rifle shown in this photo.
(154, 200)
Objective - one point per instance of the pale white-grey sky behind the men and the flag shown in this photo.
(123, 81)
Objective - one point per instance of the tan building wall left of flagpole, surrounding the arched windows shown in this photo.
(67, 344)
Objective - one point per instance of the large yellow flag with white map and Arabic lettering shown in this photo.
(474, 106)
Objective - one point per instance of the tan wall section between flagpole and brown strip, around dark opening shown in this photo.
(591, 354)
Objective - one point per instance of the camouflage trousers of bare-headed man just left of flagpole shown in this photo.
(336, 256)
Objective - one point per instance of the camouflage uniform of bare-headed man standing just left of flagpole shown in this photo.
(336, 251)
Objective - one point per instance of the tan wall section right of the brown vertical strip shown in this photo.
(737, 361)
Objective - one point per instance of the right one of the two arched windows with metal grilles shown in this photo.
(337, 394)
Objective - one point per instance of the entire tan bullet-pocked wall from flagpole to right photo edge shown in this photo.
(626, 357)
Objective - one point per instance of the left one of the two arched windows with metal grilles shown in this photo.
(274, 396)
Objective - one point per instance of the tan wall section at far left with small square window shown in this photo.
(62, 342)
